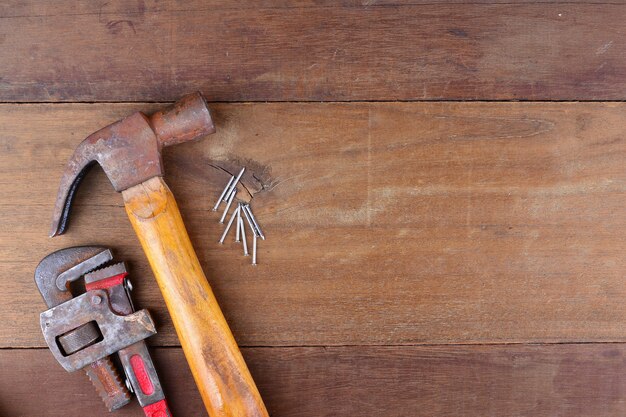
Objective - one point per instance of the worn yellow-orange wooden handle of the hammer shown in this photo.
(218, 368)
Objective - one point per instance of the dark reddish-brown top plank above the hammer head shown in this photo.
(311, 52)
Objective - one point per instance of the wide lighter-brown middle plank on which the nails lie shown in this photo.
(387, 223)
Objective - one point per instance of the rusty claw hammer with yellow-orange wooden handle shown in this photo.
(129, 152)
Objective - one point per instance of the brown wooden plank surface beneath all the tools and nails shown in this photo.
(442, 185)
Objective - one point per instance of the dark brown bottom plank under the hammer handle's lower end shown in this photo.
(515, 381)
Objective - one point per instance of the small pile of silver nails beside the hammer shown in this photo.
(242, 210)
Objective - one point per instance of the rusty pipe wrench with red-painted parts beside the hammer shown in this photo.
(83, 332)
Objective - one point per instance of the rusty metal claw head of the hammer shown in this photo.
(129, 150)
